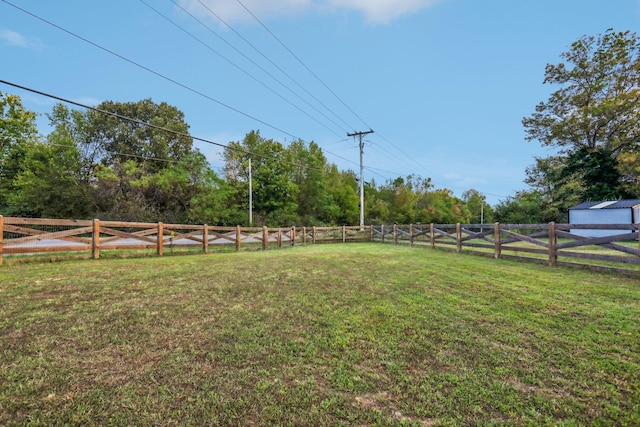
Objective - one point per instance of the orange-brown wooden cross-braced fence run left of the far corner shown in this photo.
(26, 238)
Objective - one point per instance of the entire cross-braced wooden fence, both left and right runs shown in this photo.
(552, 244)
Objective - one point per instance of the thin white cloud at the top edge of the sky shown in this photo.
(375, 11)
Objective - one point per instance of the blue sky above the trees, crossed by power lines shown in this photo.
(444, 83)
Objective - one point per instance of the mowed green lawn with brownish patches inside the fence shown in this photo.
(358, 334)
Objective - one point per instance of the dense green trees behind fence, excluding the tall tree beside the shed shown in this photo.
(97, 165)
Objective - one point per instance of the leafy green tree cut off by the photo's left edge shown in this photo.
(18, 135)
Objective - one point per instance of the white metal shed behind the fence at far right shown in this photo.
(609, 212)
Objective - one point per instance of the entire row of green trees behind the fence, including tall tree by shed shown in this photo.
(96, 163)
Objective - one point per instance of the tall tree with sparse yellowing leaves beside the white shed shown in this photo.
(593, 121)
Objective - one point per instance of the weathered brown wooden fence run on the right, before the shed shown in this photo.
(553, 244)
